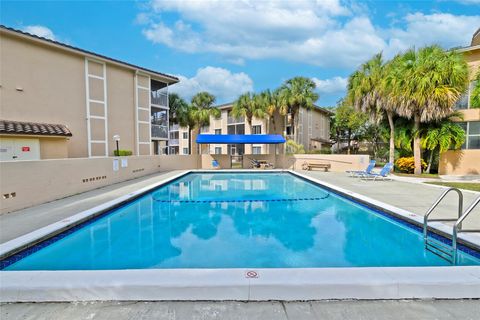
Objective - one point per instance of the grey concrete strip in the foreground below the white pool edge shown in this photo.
(324, 310)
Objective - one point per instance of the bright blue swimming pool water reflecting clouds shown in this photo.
(237, 220)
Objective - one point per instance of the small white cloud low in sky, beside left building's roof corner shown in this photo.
(225, 85)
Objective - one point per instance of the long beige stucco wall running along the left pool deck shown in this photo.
(29, 183)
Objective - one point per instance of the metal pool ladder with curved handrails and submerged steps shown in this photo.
(441, 249)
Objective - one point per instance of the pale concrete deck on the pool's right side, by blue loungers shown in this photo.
(409, 195)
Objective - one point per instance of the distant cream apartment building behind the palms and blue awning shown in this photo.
(313, 132)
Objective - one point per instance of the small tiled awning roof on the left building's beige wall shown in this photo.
(33, 128)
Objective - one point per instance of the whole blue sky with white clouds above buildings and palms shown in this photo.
(231, 47)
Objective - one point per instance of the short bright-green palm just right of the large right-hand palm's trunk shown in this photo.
(440, 137)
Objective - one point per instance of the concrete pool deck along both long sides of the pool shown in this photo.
(410, 196)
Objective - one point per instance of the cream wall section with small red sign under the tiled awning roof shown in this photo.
(19, 149)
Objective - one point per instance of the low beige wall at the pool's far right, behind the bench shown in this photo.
(338, 162)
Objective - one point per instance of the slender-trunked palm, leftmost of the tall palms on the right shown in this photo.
(368, 92)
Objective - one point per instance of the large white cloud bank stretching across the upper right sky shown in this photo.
(323, 33)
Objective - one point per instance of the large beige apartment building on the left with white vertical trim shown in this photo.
(59, 101)
